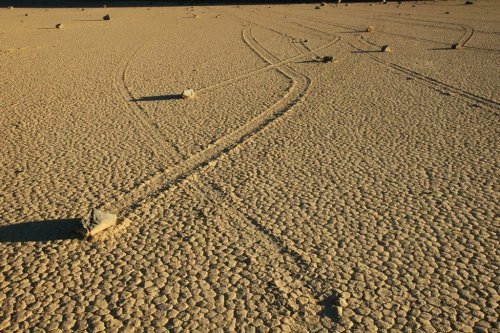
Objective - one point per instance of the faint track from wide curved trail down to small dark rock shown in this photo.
(308, 287)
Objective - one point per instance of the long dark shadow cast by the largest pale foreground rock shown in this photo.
(40, 231)
